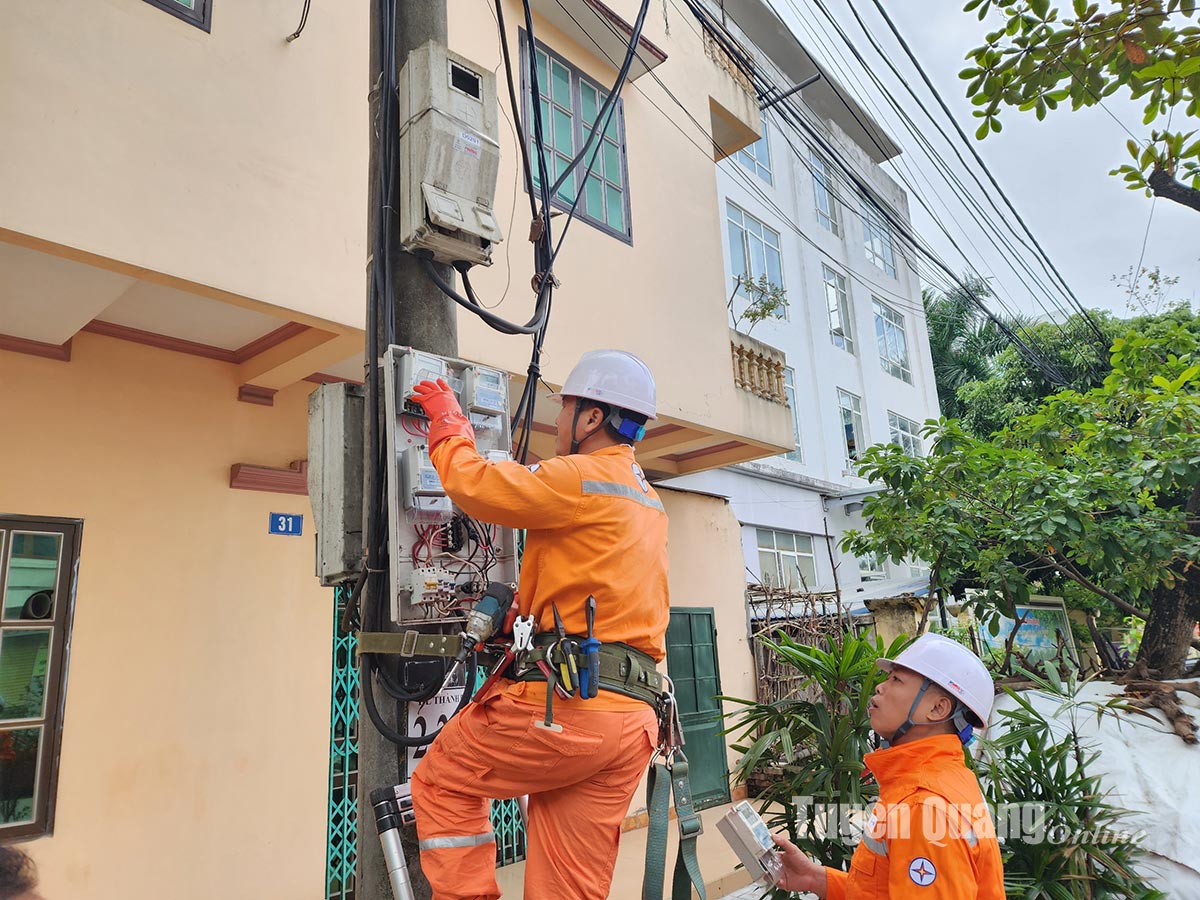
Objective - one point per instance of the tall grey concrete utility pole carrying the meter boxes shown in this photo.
(425, 320)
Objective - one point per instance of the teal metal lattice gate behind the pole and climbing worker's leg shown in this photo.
(341, 857)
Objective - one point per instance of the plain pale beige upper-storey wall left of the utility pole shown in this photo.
(232, 160)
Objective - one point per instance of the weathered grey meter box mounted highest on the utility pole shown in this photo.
(449, 157)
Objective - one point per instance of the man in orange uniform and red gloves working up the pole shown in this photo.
(595, 527)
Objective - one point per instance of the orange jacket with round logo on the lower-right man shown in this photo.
(932, 837)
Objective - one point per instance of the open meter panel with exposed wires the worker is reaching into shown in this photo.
(435, 549)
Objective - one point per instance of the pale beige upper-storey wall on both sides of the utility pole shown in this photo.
(235, 163)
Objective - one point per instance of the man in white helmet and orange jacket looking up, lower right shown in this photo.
(932, 837)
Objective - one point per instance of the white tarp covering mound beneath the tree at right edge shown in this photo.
(1151, 772)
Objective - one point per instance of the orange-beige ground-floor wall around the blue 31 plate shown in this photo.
(196, 743)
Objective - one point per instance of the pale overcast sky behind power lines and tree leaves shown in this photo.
(1055, 172)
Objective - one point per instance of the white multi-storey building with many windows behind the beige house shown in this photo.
(859, 368)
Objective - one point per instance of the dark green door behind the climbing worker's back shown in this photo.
(693, 667)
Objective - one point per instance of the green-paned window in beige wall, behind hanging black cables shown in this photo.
(571, 106)
